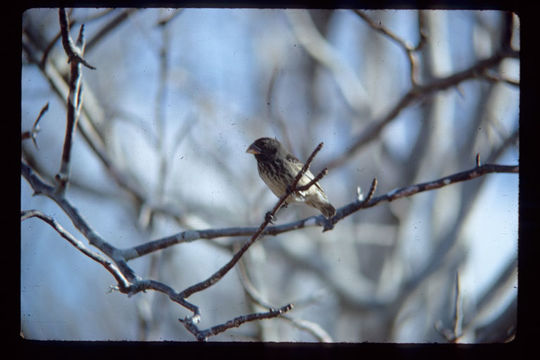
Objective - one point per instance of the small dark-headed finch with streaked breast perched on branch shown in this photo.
(278, 169)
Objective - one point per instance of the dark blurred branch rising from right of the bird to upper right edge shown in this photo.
(375, 128)
